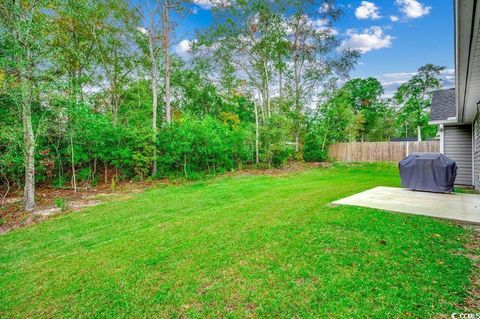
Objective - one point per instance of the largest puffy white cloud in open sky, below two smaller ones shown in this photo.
(369, 39)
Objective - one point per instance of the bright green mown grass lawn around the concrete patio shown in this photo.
(238, 246)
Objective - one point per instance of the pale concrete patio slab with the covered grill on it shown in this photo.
(461, 207)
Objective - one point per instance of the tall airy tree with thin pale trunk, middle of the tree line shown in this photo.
(247, 40)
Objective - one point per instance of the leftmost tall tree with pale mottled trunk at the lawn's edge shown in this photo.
(23, 25)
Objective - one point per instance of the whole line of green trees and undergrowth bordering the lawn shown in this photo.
(92, 91)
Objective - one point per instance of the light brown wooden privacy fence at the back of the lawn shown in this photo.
(379, 151)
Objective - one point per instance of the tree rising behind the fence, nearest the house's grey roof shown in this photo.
(414, 97)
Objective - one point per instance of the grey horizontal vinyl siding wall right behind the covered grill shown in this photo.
(458, 146)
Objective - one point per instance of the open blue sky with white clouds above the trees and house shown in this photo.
(395, 36)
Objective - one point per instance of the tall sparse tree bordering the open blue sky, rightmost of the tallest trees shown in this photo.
(314, 56)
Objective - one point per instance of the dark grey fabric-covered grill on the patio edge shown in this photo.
(431, 172)
